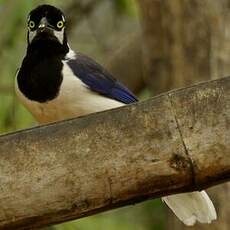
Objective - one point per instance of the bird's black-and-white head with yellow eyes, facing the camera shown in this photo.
(46, 23)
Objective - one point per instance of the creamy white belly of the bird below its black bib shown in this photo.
(74, 100)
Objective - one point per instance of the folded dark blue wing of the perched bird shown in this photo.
(99, 80)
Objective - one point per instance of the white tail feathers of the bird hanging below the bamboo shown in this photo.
(192, 207)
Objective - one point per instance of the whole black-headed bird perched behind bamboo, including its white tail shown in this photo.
(55, 83)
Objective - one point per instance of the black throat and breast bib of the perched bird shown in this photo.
(40, 75)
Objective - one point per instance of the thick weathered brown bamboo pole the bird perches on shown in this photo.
(175, 142)
